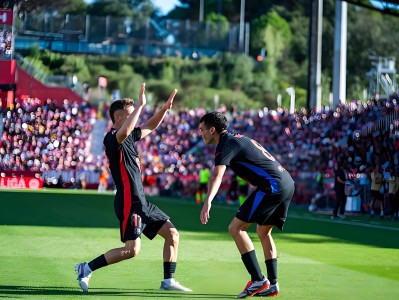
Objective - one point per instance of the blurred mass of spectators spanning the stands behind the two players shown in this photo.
(57, 144)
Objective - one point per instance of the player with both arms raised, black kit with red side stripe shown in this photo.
(136, 215)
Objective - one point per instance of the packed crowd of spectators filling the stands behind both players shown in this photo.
(40, 137)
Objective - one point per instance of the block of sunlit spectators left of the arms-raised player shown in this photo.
(40, 136)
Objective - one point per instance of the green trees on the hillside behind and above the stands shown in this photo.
(280, 27)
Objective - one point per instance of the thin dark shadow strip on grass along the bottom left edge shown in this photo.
(8, 291)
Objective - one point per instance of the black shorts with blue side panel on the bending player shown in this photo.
(264, 208)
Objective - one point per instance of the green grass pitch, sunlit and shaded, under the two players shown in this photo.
(44, 233)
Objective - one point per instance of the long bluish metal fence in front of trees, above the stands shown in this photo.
(115, 35)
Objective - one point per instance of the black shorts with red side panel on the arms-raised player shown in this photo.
(146, 219)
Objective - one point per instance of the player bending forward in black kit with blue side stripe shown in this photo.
(267, 205)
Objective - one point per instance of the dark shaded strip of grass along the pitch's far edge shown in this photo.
(92, 210)
